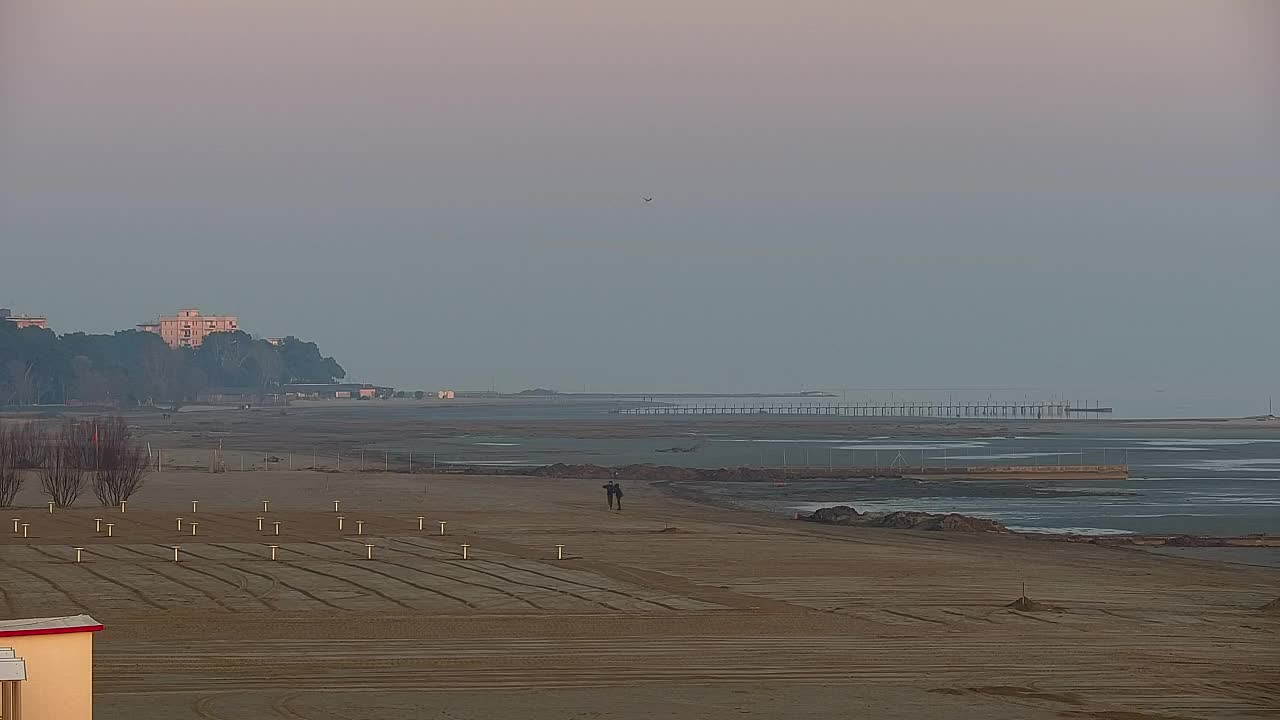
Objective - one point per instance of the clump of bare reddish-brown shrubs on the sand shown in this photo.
(103, 453)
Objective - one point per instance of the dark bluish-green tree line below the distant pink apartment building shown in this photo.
(139, 368)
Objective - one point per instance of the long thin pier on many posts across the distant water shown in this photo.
(1028, 411)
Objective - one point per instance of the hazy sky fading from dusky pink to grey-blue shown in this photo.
(1058, 194)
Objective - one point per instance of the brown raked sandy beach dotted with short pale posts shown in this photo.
(670, 609)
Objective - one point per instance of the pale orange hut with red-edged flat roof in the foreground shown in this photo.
(57, 671)
